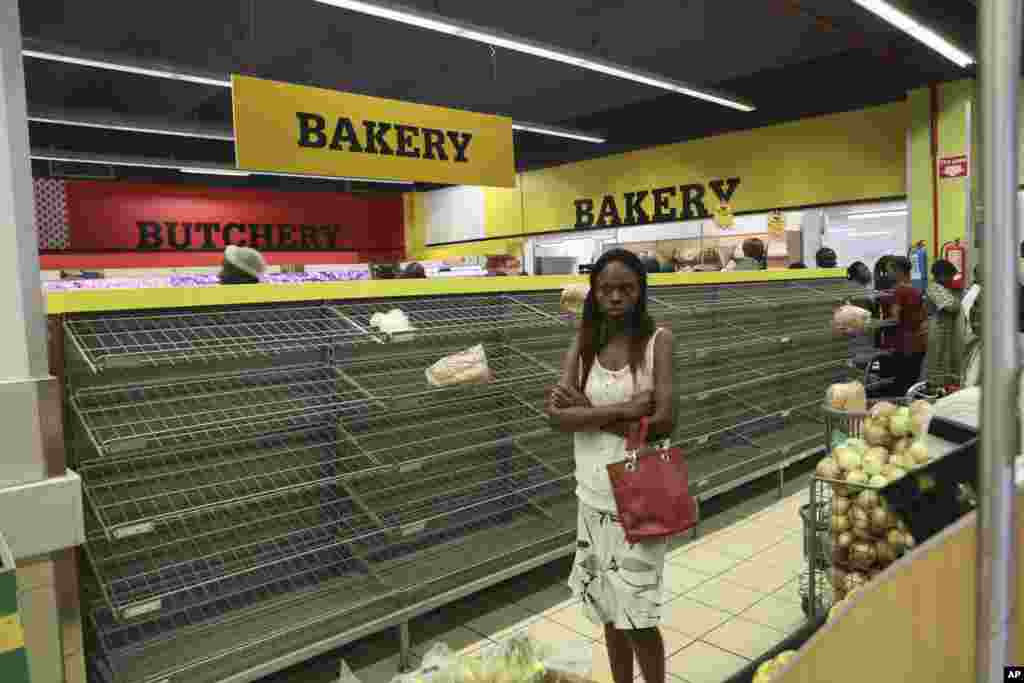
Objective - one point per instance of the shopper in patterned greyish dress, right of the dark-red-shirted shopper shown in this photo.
(947, 330)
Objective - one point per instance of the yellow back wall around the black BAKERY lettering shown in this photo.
(825, 160)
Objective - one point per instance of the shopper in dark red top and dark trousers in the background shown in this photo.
(909, 339)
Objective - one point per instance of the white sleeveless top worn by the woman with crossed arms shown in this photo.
(594, 451)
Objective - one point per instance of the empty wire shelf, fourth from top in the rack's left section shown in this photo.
(265, 546)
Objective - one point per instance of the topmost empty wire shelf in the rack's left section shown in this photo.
(154, 340)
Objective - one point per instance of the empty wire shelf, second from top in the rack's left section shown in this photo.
(177, 415)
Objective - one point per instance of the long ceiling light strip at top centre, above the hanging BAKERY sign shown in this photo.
(448, 27)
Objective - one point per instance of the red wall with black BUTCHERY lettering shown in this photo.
(121, 225)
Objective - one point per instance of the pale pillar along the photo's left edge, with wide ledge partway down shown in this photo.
(40, 500)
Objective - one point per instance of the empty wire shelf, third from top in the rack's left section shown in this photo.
(132, 496)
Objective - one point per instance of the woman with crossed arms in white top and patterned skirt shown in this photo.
(618, 370)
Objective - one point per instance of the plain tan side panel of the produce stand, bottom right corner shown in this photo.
(916, 622)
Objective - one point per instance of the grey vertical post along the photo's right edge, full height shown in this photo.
(1000, 62)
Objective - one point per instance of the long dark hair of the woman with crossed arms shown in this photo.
(594, 331)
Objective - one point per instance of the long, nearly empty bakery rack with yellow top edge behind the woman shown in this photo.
(267, 480)
